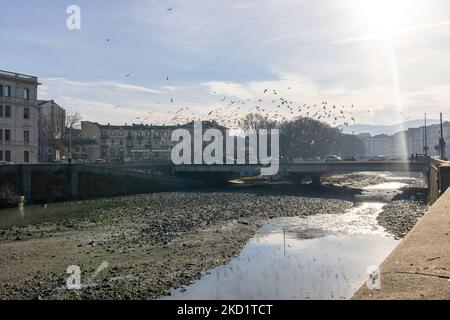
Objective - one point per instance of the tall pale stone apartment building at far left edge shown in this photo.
(18, 118)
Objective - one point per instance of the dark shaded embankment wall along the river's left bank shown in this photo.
(61, 182)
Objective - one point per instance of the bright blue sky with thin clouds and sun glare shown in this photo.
(389, 59)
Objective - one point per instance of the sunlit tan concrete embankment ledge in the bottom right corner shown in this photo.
(419, 268)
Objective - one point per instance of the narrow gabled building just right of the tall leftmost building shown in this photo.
(51, 129)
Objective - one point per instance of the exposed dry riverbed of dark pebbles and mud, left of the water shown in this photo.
(147, 244)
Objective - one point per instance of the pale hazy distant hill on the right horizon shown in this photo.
(389, 130)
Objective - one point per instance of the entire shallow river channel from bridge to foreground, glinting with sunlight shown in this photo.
(315, 257)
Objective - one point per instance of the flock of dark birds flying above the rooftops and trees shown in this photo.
(270, 106)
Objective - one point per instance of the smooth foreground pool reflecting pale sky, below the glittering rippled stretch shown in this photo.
(275, 265)
